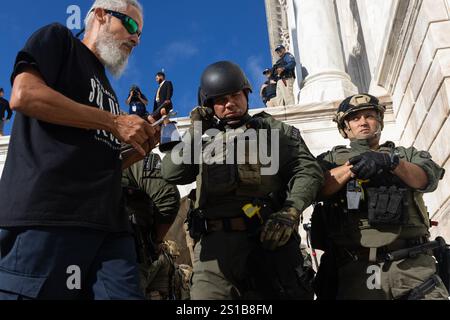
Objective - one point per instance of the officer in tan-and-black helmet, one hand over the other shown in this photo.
(373, 207)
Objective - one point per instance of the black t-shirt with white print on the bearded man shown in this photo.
(56, 175)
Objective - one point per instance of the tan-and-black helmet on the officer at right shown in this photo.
(356, 103)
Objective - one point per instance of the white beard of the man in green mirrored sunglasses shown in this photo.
(111, 54)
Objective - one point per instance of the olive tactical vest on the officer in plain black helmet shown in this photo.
(223, 189)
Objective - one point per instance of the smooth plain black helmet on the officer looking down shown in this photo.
(219, 79)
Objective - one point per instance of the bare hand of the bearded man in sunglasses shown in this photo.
(137, 132)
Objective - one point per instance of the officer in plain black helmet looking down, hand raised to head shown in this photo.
(246, 222)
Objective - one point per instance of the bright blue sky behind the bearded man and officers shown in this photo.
(180, 36)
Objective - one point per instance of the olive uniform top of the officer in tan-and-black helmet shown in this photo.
(351, 227)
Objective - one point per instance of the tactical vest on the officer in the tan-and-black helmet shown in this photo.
(351, 227)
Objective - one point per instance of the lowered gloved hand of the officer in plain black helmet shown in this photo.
(279, 228)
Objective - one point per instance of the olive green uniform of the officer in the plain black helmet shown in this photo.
(225, 262)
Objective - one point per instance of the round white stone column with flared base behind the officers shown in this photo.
(321, 52)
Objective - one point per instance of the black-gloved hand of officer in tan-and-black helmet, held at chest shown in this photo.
(369, 164)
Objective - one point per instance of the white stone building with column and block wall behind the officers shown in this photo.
(398, 50)
